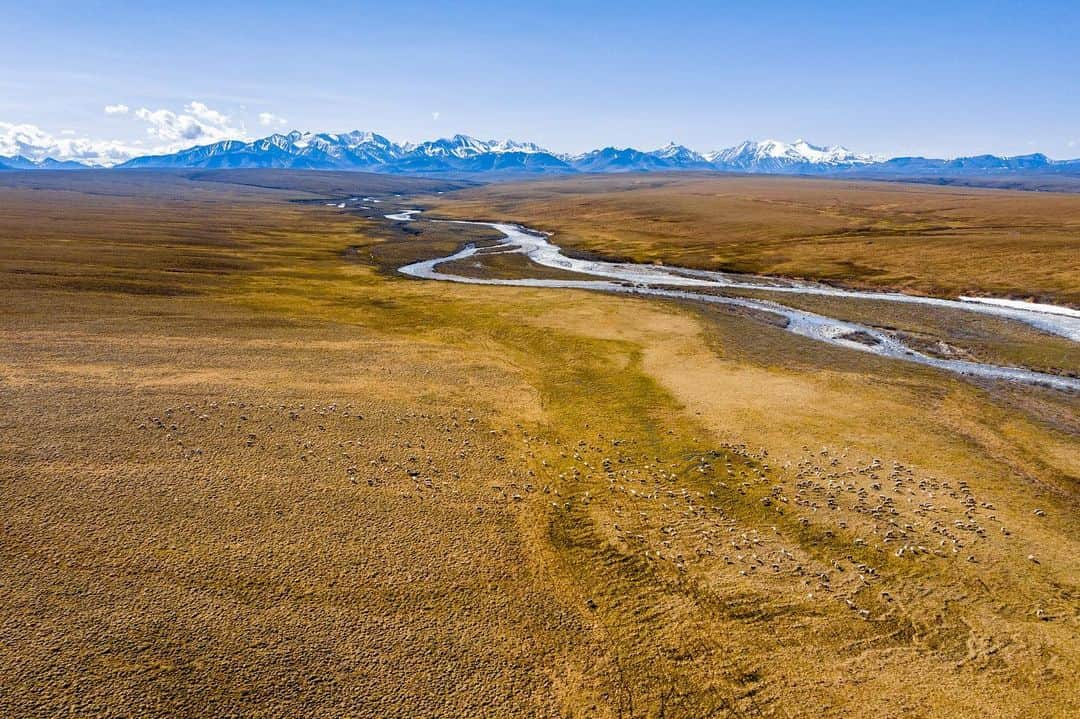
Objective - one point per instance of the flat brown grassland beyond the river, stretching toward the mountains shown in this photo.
(911, 238)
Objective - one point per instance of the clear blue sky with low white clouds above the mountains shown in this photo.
(103, 82)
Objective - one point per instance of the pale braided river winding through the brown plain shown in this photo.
(682, 283)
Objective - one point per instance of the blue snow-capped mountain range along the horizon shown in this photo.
(464, 155)
